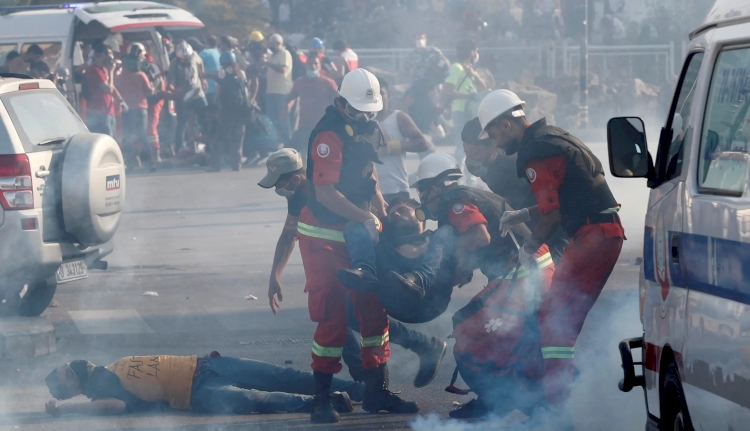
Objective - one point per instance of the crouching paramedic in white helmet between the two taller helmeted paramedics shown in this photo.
(503, 369)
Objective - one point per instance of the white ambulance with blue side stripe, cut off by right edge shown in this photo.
(695, 278)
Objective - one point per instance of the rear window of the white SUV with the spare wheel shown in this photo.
(41, 115)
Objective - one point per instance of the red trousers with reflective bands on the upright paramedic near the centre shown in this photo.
(326, 303)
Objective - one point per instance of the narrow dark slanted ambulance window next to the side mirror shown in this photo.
(669, 162)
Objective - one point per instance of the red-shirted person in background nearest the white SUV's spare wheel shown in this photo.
(101, 92)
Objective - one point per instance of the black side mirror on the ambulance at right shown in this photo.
(628, 152)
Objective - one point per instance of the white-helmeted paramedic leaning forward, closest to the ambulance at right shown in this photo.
(568, 181)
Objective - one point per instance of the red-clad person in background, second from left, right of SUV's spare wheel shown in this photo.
(135, 88)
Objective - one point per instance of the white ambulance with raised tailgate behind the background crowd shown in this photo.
(61, 31)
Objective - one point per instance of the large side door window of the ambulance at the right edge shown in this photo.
(723, 157)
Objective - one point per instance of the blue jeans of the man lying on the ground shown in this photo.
(226, 385)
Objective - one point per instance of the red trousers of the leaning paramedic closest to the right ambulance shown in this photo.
(580, 276)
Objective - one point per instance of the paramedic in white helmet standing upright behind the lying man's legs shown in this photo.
(340, 167)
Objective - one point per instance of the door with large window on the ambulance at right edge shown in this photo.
(716, 252)
